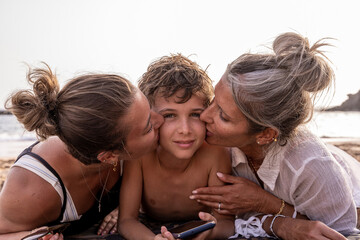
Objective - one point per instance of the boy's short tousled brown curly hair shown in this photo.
(169, 74)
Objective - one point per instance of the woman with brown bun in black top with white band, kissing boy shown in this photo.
(74, 173)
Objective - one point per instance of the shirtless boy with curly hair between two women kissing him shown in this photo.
(161, 182)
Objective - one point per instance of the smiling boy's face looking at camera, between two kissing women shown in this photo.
(182, 132)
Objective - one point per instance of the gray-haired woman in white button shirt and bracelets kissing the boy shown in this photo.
(283, 171)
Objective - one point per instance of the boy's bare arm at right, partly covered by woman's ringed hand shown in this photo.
(225, 223)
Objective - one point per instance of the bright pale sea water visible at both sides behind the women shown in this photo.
(327, 125)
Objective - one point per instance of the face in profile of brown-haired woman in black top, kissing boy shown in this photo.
(143, 124)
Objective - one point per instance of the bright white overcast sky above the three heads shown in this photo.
(124, 36)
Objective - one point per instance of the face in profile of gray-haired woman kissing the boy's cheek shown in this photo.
(226, 125)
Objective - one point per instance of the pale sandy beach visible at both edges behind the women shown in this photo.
(9, 150)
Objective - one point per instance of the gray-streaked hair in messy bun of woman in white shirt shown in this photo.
(277, 90)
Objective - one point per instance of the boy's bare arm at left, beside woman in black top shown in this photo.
(130, 200)
